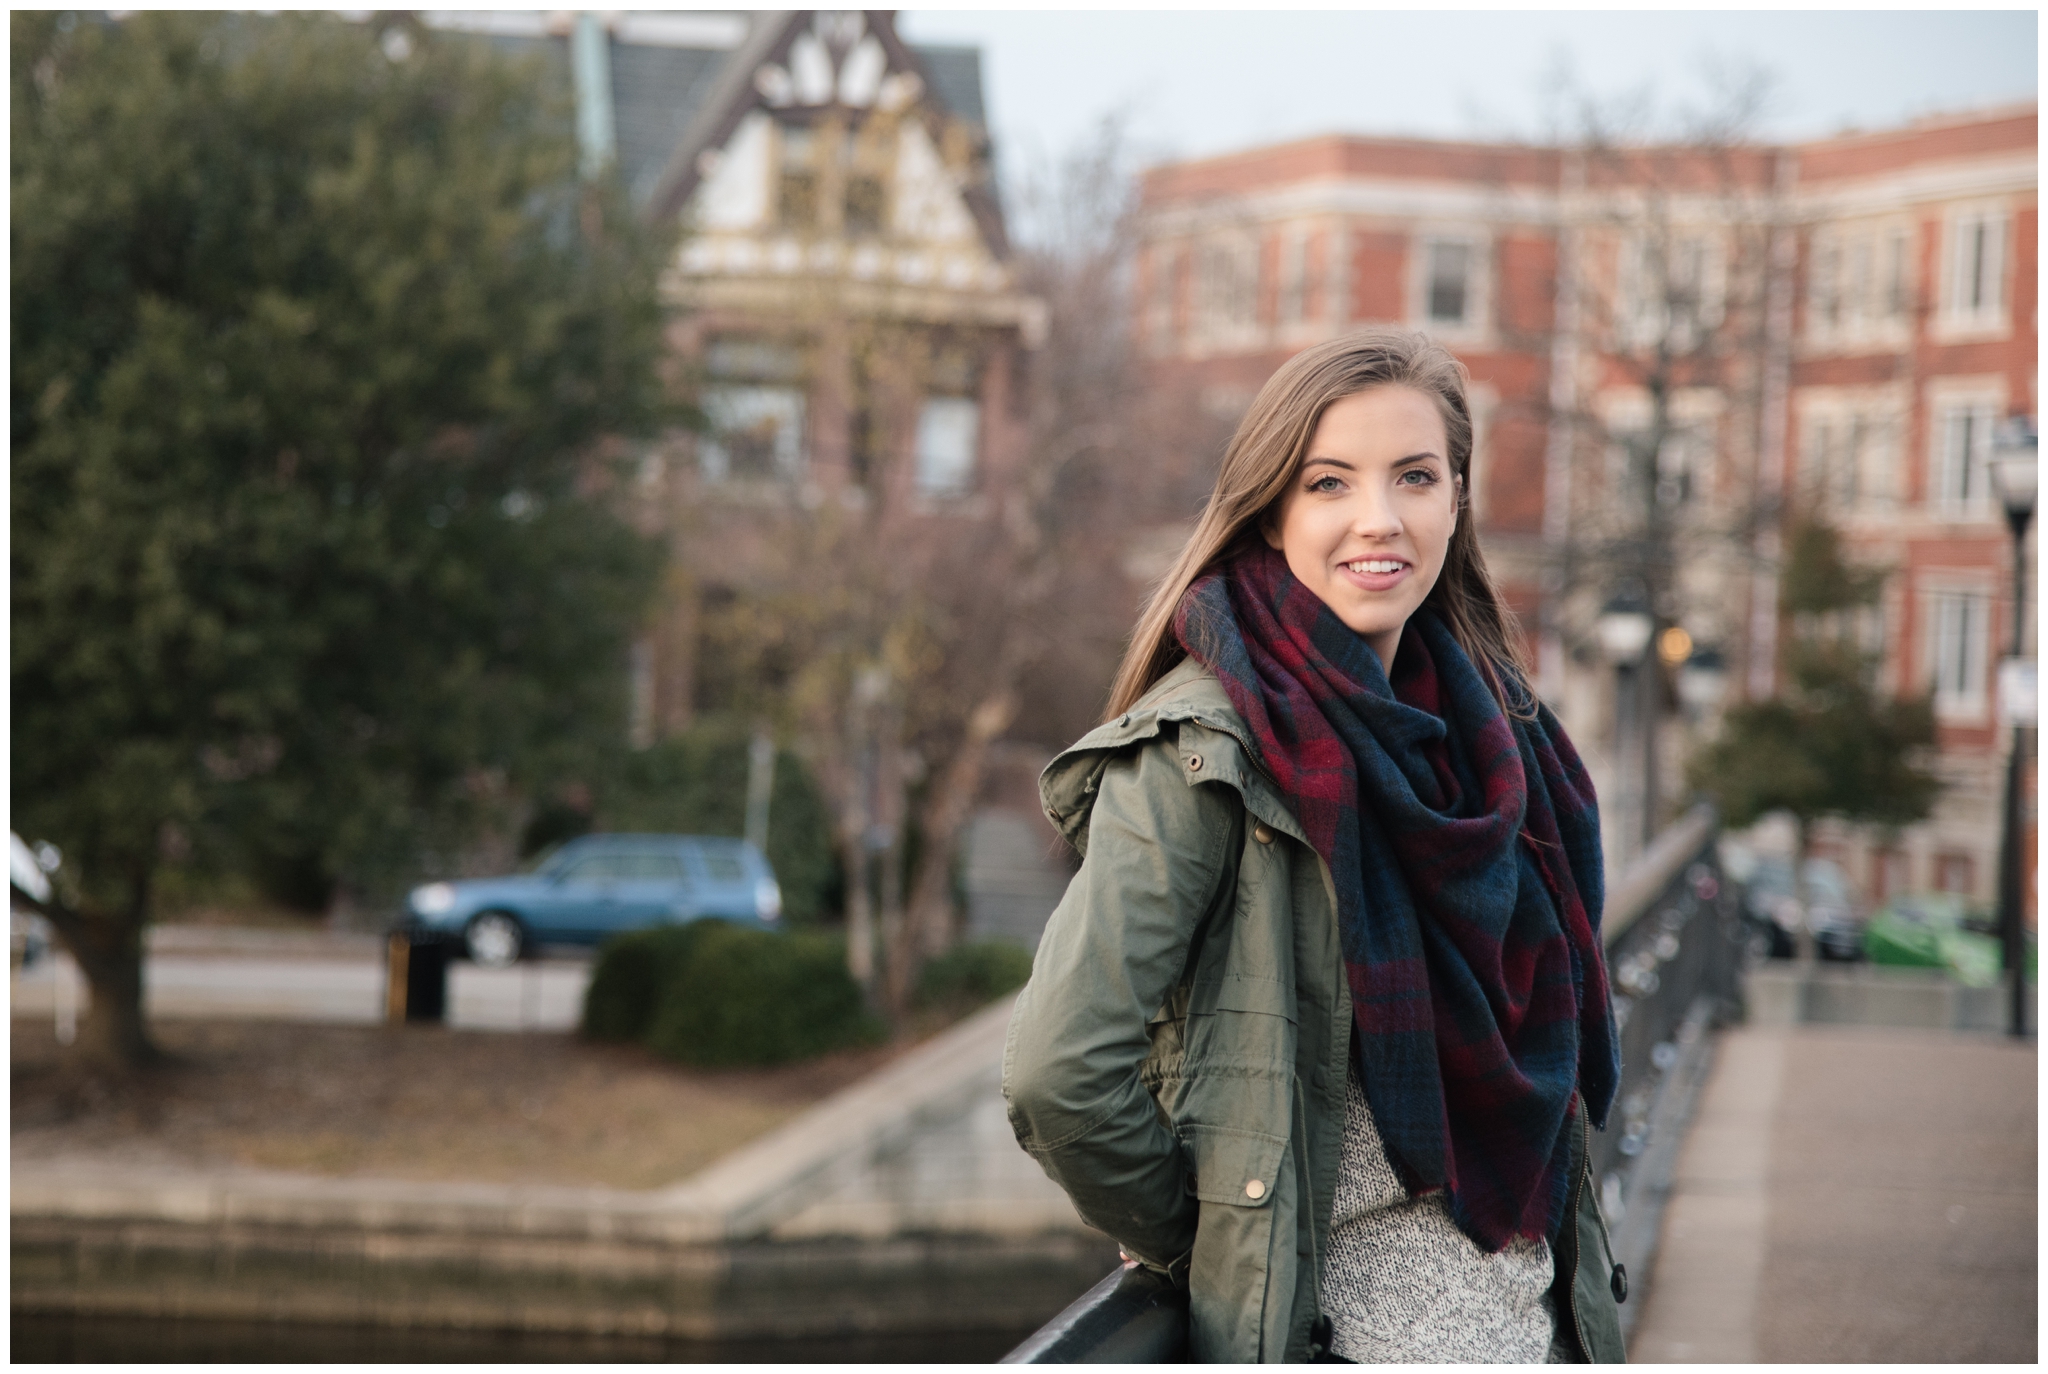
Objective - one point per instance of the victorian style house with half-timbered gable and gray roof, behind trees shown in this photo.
(845, 300)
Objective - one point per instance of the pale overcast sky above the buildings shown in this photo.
(1203, 83)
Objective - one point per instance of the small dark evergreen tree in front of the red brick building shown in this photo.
(1830, 744)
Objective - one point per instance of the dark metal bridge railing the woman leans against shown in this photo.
(1674, 941)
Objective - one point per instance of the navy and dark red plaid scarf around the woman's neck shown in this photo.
(1465, 851)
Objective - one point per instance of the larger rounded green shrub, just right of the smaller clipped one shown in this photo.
(761, 998)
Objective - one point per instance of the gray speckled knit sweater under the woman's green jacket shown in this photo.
(1404, 1285)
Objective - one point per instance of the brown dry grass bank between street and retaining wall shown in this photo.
(415, 1105)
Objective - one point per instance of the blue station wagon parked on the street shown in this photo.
(595, 888)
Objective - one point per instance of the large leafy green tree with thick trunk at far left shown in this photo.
(316, 542)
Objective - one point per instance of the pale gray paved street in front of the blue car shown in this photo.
(314, 982)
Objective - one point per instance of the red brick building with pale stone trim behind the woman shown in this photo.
(1740, 331)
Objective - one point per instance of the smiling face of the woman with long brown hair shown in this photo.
(1367, 521)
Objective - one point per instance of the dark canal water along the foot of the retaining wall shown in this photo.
(124, 1340)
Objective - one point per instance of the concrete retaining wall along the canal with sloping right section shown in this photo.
(898, 1205)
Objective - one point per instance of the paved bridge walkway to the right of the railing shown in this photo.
(1852, 1195)
